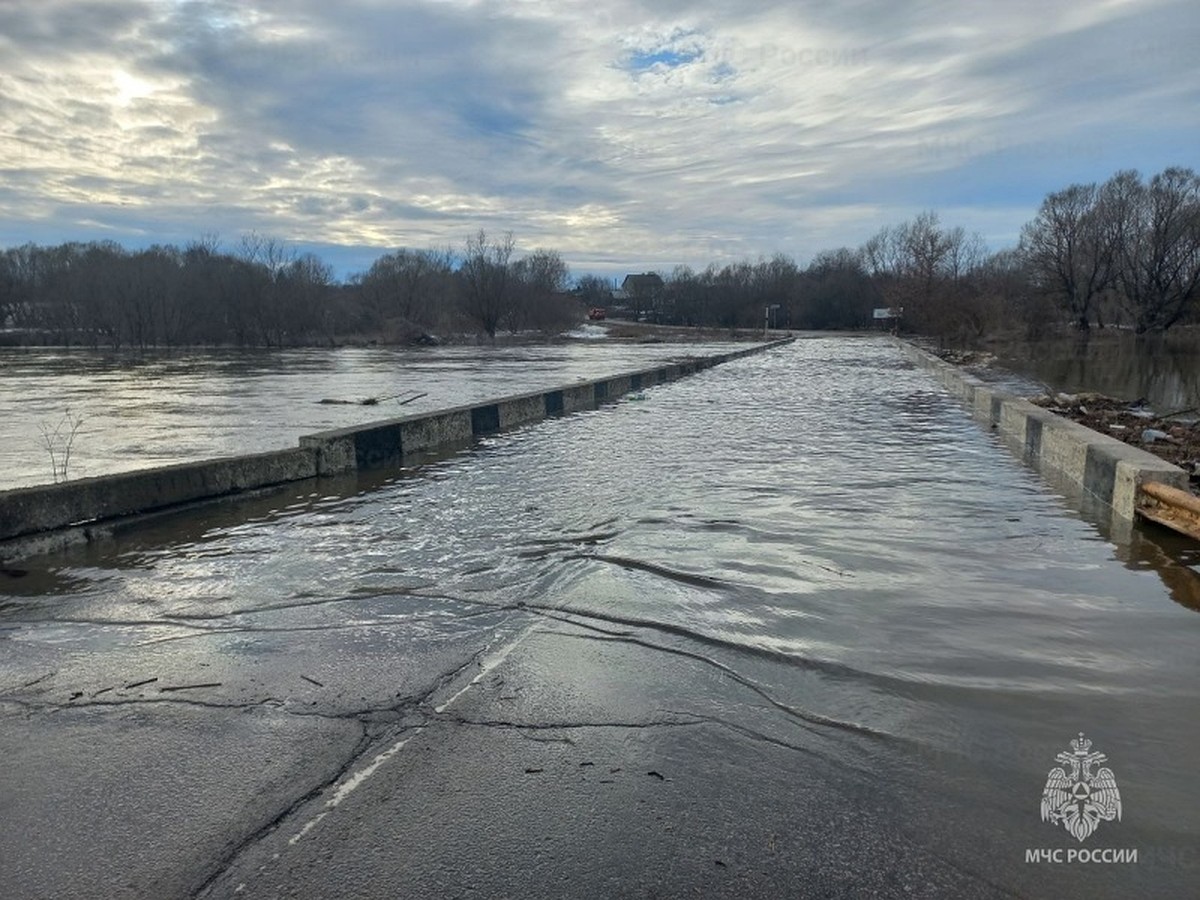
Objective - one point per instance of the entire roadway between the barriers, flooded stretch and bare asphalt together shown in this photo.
(793, 627)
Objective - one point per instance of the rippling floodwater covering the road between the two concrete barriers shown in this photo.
(865, 573)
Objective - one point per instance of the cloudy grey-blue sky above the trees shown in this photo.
(626, 135)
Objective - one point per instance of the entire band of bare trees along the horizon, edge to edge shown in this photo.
(1125, 253)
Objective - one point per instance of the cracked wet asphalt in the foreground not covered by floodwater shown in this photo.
(541, 770)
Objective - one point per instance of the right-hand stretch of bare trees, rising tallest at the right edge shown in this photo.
(1126, 253)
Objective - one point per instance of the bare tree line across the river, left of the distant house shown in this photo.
(265, 295)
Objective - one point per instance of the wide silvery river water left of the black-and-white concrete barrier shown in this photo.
(160, 409)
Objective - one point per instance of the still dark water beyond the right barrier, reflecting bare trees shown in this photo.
(1162, 369)
